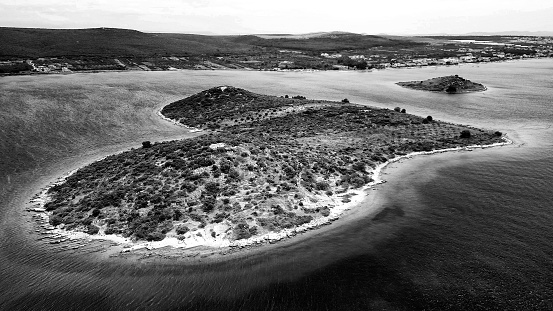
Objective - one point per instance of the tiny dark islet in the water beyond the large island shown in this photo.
(448, 84)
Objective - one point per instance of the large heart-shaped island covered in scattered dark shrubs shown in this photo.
(265, 168)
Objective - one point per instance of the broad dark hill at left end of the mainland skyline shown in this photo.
(109, 42)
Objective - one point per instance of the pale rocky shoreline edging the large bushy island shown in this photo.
(221, 245)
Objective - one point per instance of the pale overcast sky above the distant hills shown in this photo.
(399, 17)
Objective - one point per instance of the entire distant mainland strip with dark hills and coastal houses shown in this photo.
(65, 51)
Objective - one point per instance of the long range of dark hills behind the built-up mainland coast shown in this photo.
(111, 42)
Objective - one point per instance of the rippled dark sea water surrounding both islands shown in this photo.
(470, 231)
